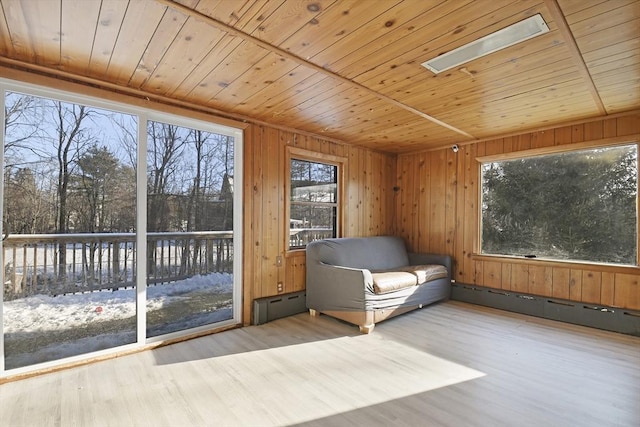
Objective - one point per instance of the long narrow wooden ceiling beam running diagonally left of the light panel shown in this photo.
(249, 38)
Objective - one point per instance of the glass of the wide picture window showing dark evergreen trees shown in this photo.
(578, 205)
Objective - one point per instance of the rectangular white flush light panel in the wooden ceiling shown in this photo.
(513, 34)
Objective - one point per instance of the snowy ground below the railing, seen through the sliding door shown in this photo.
(41, 328)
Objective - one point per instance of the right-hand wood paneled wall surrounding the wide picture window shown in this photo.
(437, 211)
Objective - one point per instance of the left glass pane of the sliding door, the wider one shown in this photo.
(69, 224)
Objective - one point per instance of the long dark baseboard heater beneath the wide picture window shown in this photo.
(594, 315)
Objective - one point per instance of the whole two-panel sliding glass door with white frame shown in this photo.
(119, 227)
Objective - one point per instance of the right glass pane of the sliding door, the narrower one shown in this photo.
(190, 221)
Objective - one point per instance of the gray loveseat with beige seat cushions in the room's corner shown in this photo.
(365, 280)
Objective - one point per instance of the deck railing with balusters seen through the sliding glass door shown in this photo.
(54, 264)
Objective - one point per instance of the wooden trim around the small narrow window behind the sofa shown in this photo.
(312, 156)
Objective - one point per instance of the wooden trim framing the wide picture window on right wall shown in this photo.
(556, 149)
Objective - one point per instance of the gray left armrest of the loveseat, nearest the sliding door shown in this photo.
(331, 287)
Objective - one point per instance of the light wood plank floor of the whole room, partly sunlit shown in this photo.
(451, 364)
